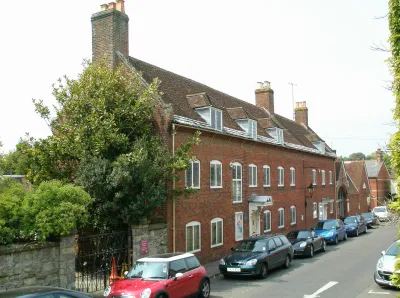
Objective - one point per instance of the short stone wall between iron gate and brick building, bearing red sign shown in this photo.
(148, 239)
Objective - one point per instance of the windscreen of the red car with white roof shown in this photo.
(151, 270)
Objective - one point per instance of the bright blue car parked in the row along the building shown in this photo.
(332, 230)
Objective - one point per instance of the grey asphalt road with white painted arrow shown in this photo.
(345, 271)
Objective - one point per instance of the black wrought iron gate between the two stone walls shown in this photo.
(93, 258)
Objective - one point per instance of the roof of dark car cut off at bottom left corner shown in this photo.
(42, 291)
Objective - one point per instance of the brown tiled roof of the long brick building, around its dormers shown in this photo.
(176, 88)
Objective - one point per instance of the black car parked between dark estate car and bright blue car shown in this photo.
(306, 242)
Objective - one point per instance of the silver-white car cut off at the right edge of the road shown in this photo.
(385, 265)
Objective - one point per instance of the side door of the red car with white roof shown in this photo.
(178, 287)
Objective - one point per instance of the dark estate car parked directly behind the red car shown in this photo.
(256, 255)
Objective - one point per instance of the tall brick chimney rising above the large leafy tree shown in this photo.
(110, 33)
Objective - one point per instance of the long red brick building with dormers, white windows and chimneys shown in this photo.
(253, 167)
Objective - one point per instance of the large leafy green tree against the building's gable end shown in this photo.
(103, 139)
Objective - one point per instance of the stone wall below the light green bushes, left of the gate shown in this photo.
(38, 264)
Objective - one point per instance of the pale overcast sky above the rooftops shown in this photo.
(323, 47)
